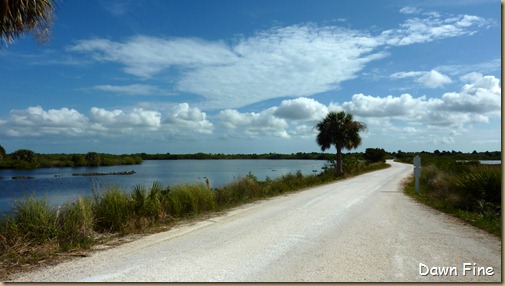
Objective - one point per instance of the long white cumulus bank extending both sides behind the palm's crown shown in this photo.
(476, 103)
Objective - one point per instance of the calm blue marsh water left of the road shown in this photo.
(59, 185)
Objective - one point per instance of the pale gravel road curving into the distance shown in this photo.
(355, 230)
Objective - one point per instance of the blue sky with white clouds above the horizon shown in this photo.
(218, 76)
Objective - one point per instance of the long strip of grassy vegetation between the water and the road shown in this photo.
(35, 232)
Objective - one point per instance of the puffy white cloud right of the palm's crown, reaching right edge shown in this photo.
(477, 101)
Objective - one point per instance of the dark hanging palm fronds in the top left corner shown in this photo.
(21, 16)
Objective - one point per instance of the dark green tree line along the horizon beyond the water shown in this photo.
(27, 159)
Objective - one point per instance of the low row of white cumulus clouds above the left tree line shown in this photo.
(35, 121)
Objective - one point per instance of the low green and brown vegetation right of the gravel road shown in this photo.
(468, 190)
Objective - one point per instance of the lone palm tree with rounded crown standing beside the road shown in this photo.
(339, 129)
